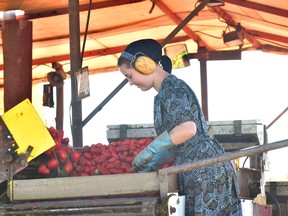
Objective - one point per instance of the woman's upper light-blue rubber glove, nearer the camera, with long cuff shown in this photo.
(161, 143)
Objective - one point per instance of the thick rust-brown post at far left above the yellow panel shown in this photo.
(17, 52)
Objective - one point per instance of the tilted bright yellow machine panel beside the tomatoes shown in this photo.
(27, 129)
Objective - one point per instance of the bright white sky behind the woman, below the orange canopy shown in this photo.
(254, 88)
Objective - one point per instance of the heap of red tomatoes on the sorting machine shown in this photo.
(95, 159)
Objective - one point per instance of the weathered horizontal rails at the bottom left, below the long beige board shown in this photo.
(145, 205)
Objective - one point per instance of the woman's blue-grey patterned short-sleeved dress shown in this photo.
(211, 190)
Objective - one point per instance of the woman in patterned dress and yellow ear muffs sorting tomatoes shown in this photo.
(182, 130)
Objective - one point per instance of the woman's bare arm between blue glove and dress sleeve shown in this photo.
(183, 132)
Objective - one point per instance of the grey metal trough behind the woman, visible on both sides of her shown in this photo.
(233, 135)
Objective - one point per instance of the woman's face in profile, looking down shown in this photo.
(144, 82)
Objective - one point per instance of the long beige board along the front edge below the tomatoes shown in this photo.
(93, 186)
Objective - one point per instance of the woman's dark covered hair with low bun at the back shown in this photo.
(150, 48)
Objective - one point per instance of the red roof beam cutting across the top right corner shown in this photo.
(259, 7)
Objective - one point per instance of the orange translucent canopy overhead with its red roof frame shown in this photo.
(115, 23)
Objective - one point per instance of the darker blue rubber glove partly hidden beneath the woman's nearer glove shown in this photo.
(158, 161)
